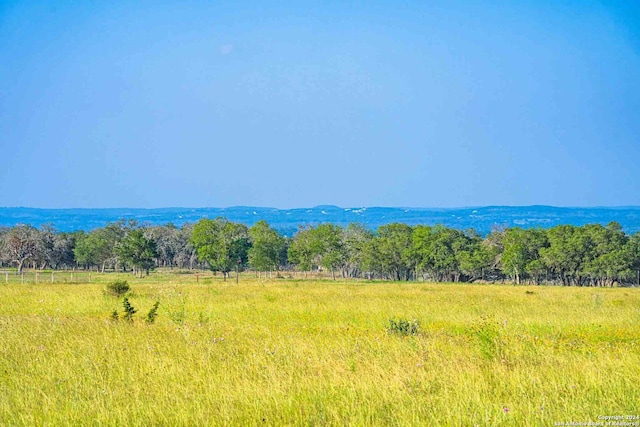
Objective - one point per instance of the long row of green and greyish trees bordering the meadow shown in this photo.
(589, 255)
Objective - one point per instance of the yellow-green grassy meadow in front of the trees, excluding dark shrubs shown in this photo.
(315, 352)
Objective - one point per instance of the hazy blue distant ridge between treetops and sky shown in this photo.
(483, 219)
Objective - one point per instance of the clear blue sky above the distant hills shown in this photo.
(296, 104)
